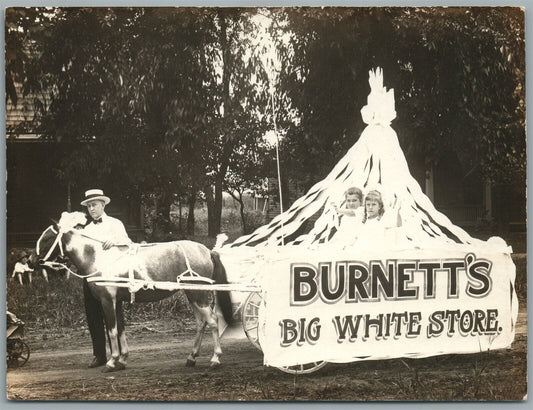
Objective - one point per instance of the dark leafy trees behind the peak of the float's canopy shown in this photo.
(458, 75)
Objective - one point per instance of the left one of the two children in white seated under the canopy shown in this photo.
(350, 216)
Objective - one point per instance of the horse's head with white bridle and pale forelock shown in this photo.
(49, 244)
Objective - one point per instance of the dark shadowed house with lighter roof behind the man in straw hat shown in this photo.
(36, 193)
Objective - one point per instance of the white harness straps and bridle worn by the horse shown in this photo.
(187, 276)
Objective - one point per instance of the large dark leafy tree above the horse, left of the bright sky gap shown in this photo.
(156, 100)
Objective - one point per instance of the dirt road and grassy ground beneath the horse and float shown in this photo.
(57, 370)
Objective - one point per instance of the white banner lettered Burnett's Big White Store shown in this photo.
(380, 305)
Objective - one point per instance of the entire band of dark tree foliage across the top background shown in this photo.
(166, 102)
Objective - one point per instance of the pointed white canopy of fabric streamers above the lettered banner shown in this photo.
(375, 162)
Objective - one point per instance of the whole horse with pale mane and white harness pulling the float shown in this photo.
(140, 263)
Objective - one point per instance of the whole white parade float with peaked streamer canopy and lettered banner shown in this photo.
(413, 285)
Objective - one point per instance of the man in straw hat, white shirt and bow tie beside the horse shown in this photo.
(111, 232)
